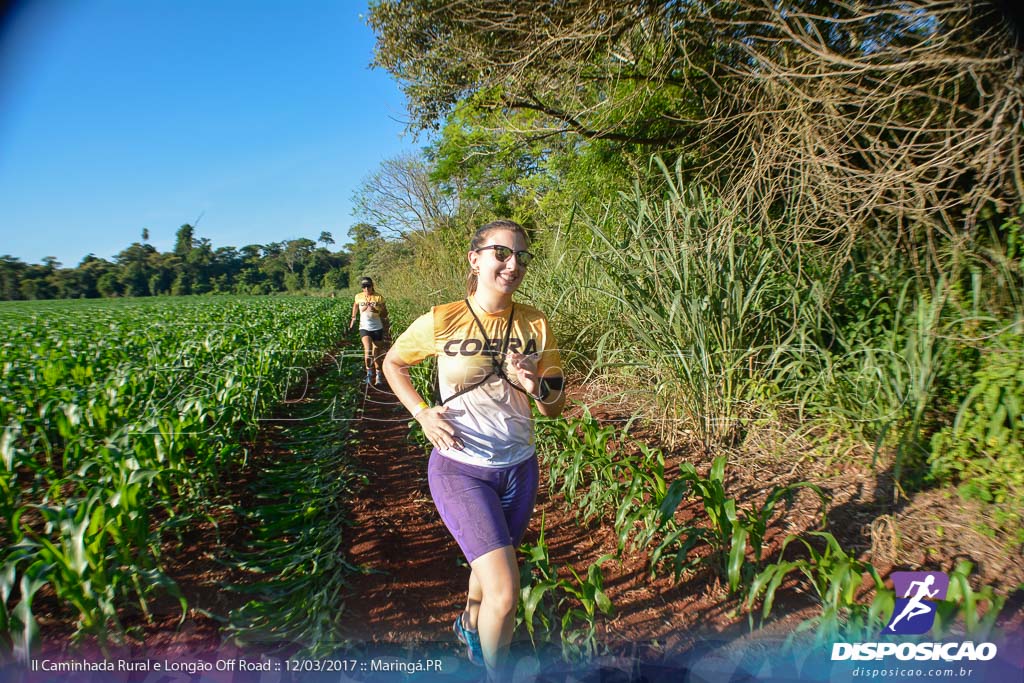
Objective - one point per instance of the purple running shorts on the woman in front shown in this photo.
(485, 508)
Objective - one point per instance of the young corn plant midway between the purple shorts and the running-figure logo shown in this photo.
(732, 532)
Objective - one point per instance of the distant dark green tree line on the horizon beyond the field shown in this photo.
(195, 267)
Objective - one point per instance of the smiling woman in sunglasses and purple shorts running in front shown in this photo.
(495, 359)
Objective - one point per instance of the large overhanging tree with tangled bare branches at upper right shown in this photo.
(834, 123)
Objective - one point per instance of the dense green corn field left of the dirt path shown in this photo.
(118, 420)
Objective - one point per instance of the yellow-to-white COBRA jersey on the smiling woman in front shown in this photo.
(494, 419)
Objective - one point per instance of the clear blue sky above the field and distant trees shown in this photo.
(117, 115)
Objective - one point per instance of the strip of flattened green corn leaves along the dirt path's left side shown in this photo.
(300, 534)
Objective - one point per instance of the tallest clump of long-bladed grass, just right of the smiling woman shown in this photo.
(708, 310)
